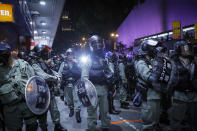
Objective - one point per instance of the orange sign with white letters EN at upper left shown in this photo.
(6, 13)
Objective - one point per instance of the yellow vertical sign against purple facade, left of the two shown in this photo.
(176, 27)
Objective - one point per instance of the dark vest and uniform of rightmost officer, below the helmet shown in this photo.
(183, 95)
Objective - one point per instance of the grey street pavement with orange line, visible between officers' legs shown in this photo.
(127, 120)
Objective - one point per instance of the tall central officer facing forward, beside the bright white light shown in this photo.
(96, 71)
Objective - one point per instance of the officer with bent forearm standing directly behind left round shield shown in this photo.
(41, 69)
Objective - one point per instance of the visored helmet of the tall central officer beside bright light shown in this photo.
(96, 45)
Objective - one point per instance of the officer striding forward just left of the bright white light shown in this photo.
(70, 73)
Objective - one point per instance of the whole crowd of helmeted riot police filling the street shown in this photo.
(156, 79)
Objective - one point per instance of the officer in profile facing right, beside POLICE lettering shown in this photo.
(148, 83)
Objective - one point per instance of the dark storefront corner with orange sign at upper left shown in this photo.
(15, 24)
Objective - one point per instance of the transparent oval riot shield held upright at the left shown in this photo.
(37, 95)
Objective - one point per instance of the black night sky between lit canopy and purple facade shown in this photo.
(90, 17)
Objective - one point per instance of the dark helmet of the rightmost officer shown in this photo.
(183, 48)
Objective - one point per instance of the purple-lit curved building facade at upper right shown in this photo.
(156, 16)
